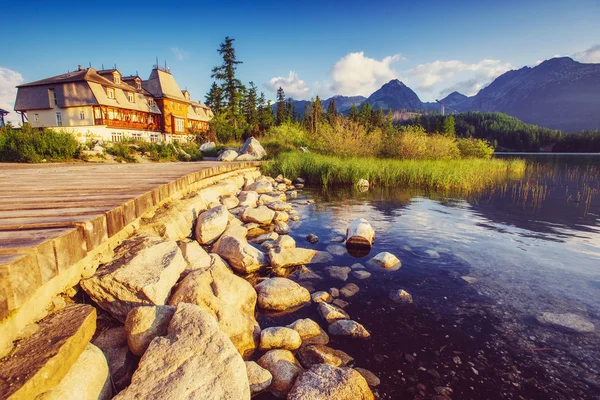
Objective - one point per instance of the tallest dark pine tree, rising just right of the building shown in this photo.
(225, 73)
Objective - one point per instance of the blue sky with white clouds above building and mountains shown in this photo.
(309, 48)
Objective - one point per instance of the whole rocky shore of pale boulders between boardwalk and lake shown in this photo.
(174, 314)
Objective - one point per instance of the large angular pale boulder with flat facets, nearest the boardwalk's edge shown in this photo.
(143, 273)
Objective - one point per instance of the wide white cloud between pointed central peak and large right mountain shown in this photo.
(425, 77)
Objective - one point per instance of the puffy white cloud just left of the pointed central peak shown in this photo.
(355, 74)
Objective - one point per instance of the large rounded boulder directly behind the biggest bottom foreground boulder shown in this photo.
(231, 300)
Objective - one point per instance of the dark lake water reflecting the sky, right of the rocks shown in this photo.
(479, 270)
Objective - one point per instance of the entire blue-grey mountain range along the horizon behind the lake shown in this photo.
(559, 93)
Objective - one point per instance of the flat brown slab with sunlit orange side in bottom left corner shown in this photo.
(38, 363)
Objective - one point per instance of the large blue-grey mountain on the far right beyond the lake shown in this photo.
(560, 93)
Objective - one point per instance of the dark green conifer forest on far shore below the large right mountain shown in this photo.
(500, 129)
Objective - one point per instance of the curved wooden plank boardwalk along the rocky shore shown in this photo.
(52, 215)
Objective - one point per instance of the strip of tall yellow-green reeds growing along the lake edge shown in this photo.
(453, 175)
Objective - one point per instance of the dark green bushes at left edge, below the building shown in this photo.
(30, 145)
